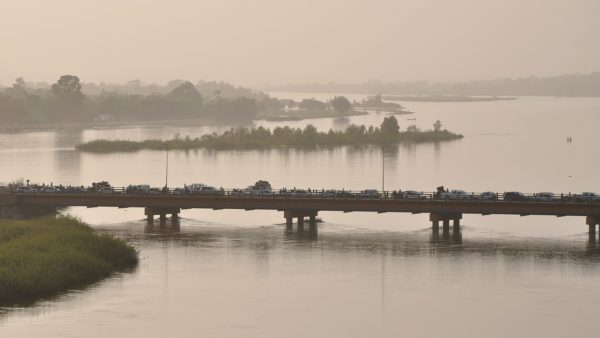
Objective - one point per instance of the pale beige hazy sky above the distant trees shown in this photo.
(256, 42)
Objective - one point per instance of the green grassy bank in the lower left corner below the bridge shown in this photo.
(45, 256)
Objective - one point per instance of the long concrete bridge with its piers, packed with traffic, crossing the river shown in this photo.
(293, 207)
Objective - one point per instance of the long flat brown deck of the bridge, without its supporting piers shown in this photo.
(311, 203)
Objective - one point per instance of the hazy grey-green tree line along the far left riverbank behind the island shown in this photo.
(66, 101)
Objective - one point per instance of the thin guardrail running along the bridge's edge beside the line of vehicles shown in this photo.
(309, 193)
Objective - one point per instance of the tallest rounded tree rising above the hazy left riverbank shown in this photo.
(69, 99)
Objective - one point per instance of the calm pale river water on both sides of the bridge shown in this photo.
(237, 274)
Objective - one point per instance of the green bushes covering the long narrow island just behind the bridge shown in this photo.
(245, 138)
